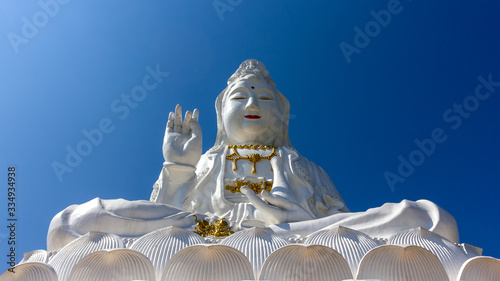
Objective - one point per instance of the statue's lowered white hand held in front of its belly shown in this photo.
(276, 209)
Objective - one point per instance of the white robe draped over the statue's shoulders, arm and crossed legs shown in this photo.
(202, 192)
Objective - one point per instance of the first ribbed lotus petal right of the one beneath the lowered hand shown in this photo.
(351, 244)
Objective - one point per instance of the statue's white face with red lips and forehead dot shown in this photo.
(252, 113)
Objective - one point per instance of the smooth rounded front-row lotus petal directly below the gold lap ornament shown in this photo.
(208, 263)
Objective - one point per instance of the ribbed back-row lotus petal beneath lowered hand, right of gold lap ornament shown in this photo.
(256, 244)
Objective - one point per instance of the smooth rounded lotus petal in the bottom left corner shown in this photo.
(30, 271)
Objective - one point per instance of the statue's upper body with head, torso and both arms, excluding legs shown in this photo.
(252, 123)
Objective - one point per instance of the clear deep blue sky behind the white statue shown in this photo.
(354, 111)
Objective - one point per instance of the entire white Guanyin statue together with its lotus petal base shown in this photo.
(253, 183)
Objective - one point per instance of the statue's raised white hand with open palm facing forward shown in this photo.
(182, 142)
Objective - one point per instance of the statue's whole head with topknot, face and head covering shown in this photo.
(251, 109)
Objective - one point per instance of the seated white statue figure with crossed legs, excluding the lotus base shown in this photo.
(252, 176)
